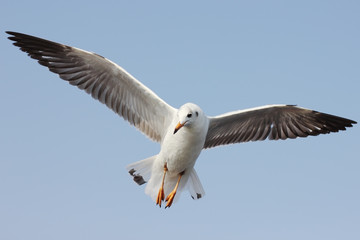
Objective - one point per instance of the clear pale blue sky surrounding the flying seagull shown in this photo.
(63, 155)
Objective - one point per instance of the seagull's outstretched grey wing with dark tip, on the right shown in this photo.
(273, 122)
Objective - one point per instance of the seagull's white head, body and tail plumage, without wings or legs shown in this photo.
(179, 153)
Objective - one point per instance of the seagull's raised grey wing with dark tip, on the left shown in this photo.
(104, 80)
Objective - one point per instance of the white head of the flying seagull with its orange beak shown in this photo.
(189, 115)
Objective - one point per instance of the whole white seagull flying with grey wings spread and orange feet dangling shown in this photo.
(182, 133)
